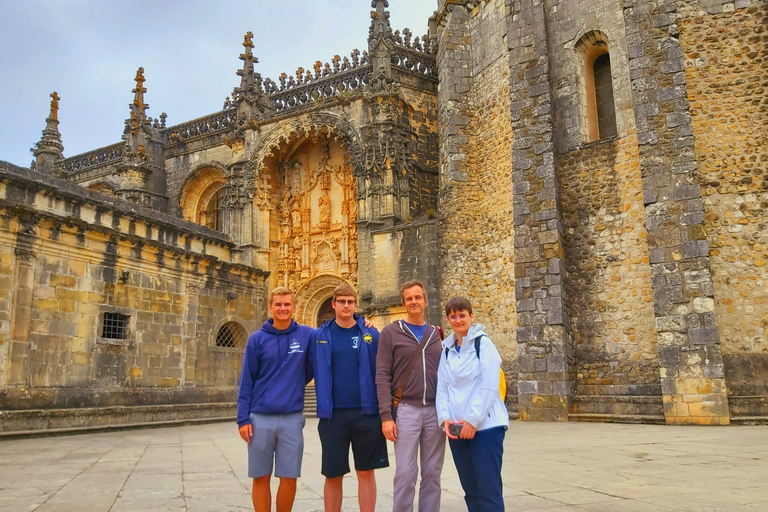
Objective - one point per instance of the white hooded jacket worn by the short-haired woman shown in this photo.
(468, 387)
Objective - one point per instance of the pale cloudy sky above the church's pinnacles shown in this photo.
(89, 50)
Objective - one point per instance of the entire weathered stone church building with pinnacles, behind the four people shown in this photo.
(591, 174)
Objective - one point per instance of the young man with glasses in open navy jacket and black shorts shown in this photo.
(344, 360)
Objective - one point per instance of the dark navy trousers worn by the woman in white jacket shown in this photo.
(478, 462)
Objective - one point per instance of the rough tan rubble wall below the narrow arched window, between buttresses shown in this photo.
(609, 277)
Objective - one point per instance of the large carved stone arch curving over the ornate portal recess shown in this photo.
(336, 127)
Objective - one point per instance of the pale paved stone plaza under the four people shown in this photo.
(547, 466)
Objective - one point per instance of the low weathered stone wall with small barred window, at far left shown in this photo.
(83, 256)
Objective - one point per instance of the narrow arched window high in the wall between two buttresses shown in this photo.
(598, 113)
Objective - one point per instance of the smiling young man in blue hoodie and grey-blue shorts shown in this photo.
(271, 402)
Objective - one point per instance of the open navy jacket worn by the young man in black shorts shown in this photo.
(320, 350)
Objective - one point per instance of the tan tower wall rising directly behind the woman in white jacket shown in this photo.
(478, 234)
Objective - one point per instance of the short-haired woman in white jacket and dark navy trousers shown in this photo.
(468, 399)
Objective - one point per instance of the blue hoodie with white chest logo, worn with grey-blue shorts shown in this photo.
(276, 367)
